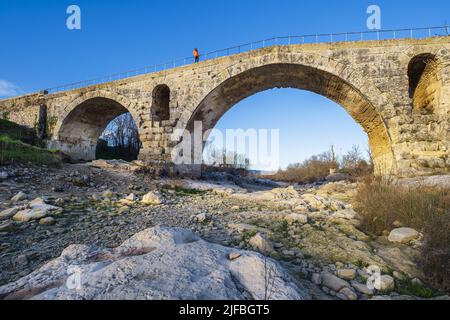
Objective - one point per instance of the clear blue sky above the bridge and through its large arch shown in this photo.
(38, 51)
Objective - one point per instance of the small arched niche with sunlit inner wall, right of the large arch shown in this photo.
(423, 82)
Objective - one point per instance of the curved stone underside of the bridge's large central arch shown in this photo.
(289, 75)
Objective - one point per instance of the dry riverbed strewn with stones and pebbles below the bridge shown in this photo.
(310, 231)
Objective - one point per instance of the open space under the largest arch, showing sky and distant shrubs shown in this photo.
(308, 126)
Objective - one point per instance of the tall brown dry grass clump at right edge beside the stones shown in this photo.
(381, 203)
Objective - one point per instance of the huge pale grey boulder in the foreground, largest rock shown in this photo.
(157, 263)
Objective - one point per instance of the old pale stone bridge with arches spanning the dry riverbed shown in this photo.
(397, 90)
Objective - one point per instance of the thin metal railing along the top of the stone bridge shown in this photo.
(288, 40)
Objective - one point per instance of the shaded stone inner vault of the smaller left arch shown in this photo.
(81, 129)
